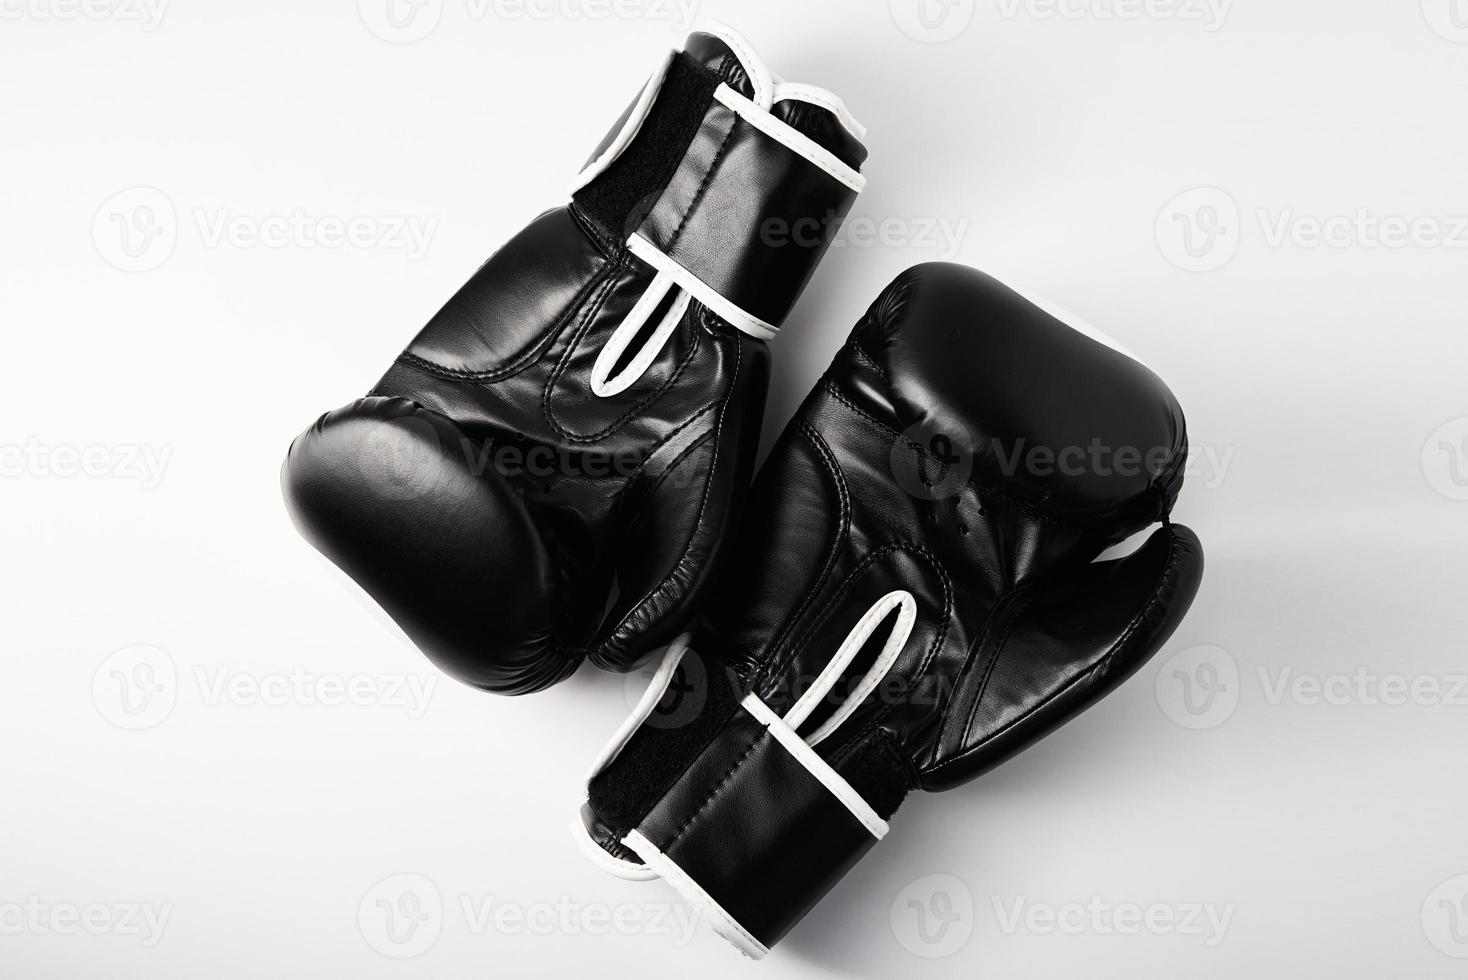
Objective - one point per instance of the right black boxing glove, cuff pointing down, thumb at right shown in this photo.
(915, 599)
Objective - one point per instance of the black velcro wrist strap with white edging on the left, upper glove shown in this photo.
(719, 196)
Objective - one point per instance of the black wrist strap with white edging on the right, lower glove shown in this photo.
(757, 831)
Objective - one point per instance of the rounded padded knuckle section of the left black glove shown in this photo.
(388, 492)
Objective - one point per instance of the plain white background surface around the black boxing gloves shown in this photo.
(174, 739)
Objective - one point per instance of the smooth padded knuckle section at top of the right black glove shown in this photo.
(968, 360)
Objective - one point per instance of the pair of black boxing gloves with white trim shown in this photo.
(559, 470)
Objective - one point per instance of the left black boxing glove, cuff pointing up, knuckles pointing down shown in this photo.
(548, 472)
